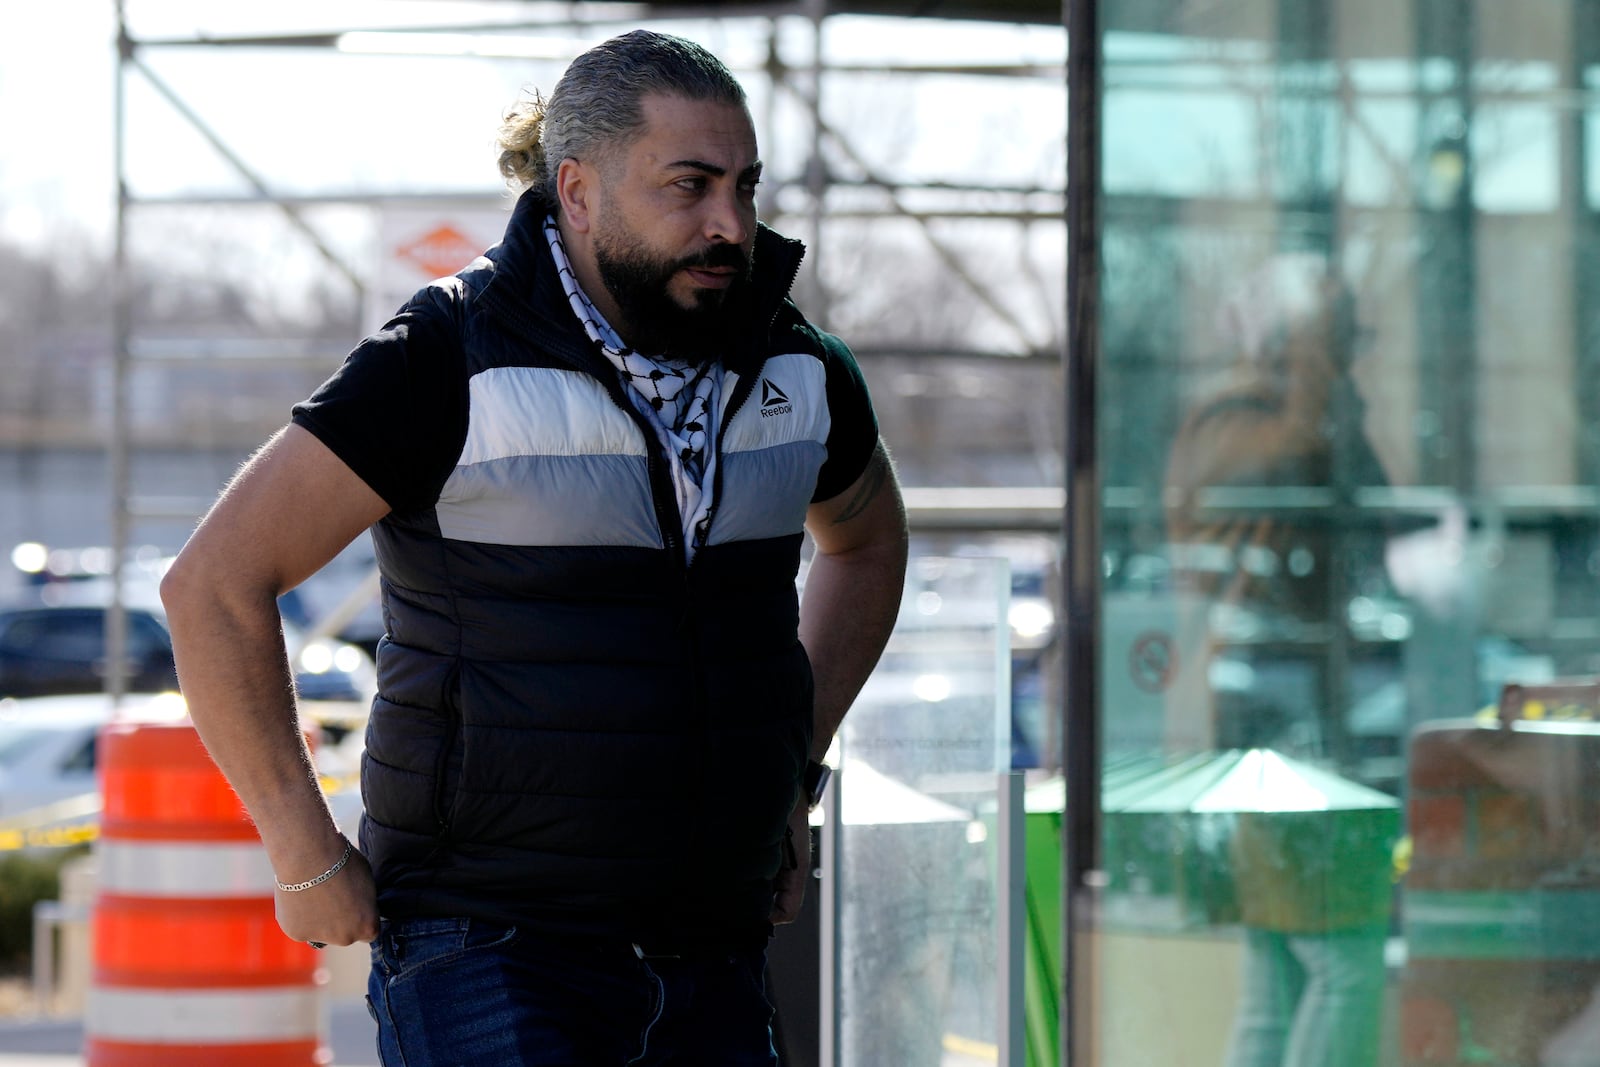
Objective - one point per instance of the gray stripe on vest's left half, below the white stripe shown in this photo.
(551, 502)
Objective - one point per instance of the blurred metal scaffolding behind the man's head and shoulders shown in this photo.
(836, 190)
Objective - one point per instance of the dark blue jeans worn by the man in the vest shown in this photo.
(455, 993)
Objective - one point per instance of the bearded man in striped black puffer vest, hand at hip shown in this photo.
(588, 463)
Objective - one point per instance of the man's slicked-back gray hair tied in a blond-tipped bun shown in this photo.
(596, 106)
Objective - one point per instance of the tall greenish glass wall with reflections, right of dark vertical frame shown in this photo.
(1350, 458)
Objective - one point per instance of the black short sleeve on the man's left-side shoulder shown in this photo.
(396, 412)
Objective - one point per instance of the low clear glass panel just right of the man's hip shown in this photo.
(919, 761)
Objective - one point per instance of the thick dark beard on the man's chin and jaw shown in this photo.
(654, 321)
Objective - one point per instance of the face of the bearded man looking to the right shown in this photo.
(678, 225)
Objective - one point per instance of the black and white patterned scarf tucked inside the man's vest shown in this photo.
(678, 398)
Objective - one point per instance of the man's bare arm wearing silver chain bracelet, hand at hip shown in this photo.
(292, 510)
